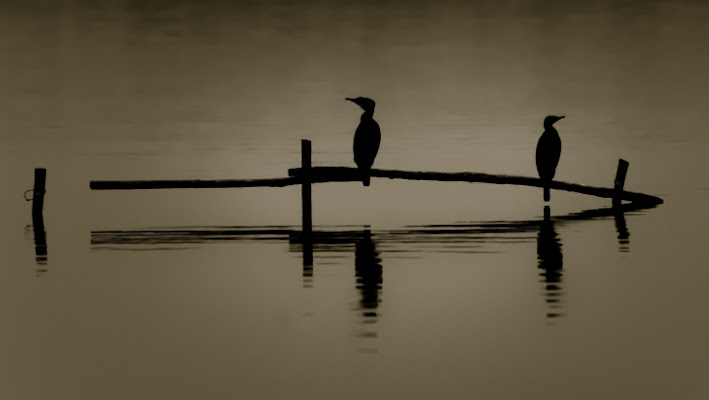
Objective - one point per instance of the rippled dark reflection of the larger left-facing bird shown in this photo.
(368, 281)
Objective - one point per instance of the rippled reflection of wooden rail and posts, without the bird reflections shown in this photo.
(327, 242)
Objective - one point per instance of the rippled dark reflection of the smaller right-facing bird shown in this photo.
(551, 264)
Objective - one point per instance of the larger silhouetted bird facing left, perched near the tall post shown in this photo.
(367, 138)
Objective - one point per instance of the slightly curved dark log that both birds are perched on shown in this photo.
(348, 174)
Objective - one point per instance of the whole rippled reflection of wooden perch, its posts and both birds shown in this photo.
(337, 244)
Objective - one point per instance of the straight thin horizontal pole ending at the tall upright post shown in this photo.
(193, 184)
